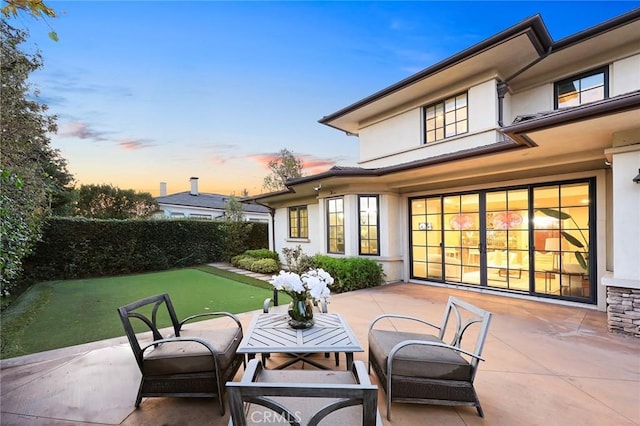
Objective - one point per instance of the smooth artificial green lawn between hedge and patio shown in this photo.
(57, 314)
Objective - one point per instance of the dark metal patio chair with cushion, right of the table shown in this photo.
(422, 368)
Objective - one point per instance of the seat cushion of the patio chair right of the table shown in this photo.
(418, 361)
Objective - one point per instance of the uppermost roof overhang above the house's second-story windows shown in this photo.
(510, 55)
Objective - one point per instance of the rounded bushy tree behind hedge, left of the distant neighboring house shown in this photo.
(110, 202)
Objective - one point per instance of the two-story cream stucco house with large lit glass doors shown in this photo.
(458, 160)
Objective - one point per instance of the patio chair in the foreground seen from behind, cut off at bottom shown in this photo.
(303, 397)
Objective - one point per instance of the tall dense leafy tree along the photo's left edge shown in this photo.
(32, 174)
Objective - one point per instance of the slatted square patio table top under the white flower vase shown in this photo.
(270, 332)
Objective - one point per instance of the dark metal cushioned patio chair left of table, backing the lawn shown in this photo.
(190, 362)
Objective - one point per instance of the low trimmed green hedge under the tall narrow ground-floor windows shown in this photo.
(350, 273)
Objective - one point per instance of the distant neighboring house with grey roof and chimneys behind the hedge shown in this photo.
(196, 205)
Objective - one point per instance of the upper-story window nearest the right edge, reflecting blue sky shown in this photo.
(583, 88)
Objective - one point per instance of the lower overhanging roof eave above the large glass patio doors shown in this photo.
(570, 139)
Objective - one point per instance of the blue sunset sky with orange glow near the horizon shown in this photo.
(162, 91)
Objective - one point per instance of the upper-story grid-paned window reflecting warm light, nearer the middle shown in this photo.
(446, 118)
